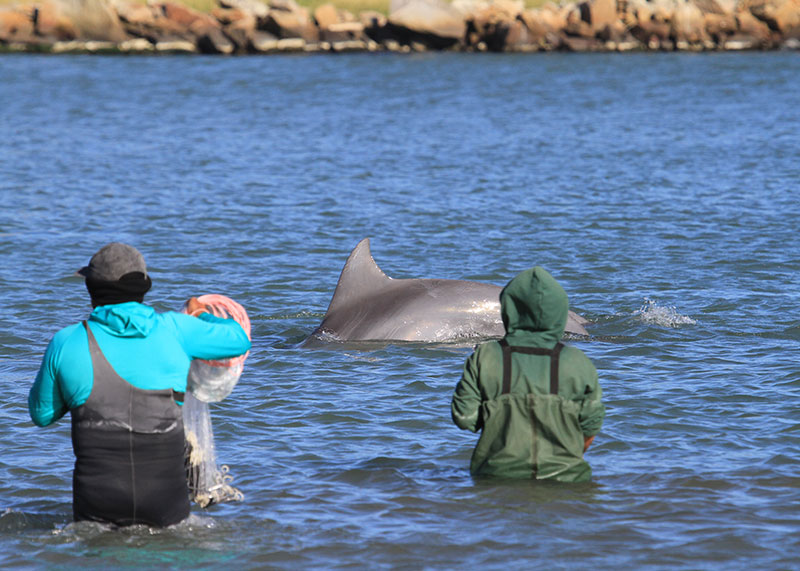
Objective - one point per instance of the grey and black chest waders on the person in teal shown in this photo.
(129, 451)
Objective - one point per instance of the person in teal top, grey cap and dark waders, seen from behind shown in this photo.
(122, 375)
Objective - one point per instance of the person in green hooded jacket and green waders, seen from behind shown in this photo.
(536, 401)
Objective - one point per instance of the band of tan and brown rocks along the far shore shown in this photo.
(281, 26)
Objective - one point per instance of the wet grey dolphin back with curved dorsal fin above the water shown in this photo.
(368, 305)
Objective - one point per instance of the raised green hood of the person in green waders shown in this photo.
(534, 309)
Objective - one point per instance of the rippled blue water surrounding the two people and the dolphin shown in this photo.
(659, 189)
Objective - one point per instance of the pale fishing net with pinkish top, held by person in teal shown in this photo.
(210, 381)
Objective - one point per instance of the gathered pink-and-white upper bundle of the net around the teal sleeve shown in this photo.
(212, 381)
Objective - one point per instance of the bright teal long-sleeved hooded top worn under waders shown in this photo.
(149, 350)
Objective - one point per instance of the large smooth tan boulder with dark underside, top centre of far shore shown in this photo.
(433, 23)
